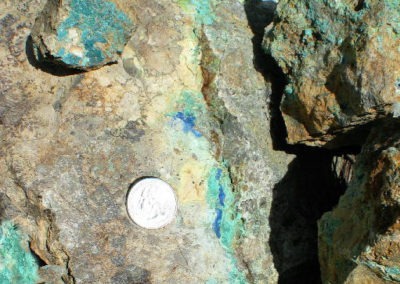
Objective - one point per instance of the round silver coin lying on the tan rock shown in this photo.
(151, 203)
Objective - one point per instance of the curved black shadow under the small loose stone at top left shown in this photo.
(45, 65)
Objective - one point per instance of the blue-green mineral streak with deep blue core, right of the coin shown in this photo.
(227, 223)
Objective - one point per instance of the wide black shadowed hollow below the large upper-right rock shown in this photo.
(310, 188)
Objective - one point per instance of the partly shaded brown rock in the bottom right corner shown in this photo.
(359, 241)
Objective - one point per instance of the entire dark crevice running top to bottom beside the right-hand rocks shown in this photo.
(311, 185)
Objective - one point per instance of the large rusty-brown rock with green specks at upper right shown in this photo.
(341, 60)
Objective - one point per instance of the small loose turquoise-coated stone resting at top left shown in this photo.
(81, 34)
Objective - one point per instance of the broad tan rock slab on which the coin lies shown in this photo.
(176, 106)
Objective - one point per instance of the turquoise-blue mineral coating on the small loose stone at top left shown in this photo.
(103, 29)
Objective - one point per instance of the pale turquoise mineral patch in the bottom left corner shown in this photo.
(17, 264)
